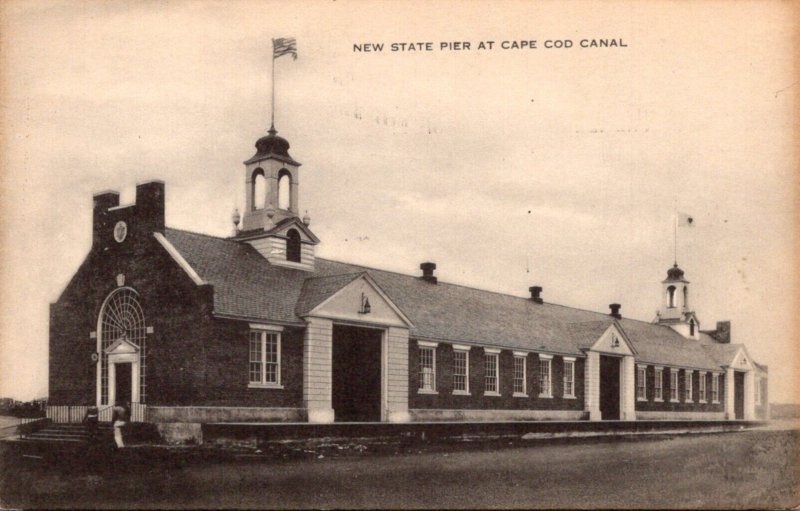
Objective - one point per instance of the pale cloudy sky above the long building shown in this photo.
(558, 167)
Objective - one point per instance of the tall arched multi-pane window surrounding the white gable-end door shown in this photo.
(122, 318)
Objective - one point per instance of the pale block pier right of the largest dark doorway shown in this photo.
(396, 374)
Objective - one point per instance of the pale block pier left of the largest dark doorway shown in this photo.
(317, 370)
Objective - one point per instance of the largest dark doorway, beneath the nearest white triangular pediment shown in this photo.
(356, 374)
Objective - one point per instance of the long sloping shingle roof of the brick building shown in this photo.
(246, 285)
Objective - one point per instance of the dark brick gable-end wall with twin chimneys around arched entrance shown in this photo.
(178, 310)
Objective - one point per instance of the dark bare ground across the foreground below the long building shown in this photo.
(748, 469)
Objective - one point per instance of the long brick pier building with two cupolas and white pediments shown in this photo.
(192, 328)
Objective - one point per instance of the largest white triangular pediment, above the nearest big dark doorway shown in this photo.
(360, 300)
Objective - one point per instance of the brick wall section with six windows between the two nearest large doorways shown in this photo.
(444, 398)
